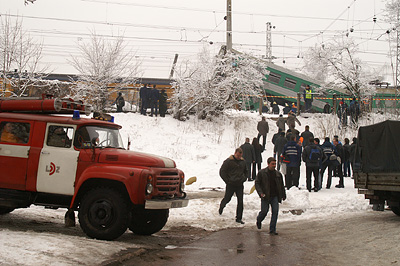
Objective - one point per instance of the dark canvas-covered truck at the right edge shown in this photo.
(377, 164)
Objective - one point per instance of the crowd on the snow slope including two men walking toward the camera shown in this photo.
(290, 149)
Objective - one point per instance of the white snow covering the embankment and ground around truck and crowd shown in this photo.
(199, 148)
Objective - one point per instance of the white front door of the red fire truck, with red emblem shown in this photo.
(58, 161)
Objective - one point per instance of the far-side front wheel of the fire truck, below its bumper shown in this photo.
(147, 222)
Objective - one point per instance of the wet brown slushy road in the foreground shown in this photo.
(370, 238)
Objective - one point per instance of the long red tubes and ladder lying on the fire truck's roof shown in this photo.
(45, 104)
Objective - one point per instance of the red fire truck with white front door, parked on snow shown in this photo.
(64, 161)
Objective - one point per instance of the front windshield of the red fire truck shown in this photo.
(89, 136)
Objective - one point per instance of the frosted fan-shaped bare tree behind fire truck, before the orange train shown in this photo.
(102, 63)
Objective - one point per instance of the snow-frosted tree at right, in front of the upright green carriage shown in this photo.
(336, 64)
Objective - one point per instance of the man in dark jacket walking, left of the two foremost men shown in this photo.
(234, 173)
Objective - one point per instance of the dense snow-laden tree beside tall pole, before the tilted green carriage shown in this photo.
(214, 84)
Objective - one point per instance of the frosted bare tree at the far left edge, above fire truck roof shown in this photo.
(20, 57)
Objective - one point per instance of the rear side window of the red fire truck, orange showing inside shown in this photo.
(14, 132)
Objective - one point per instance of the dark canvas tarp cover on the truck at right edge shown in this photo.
(378, 147)
